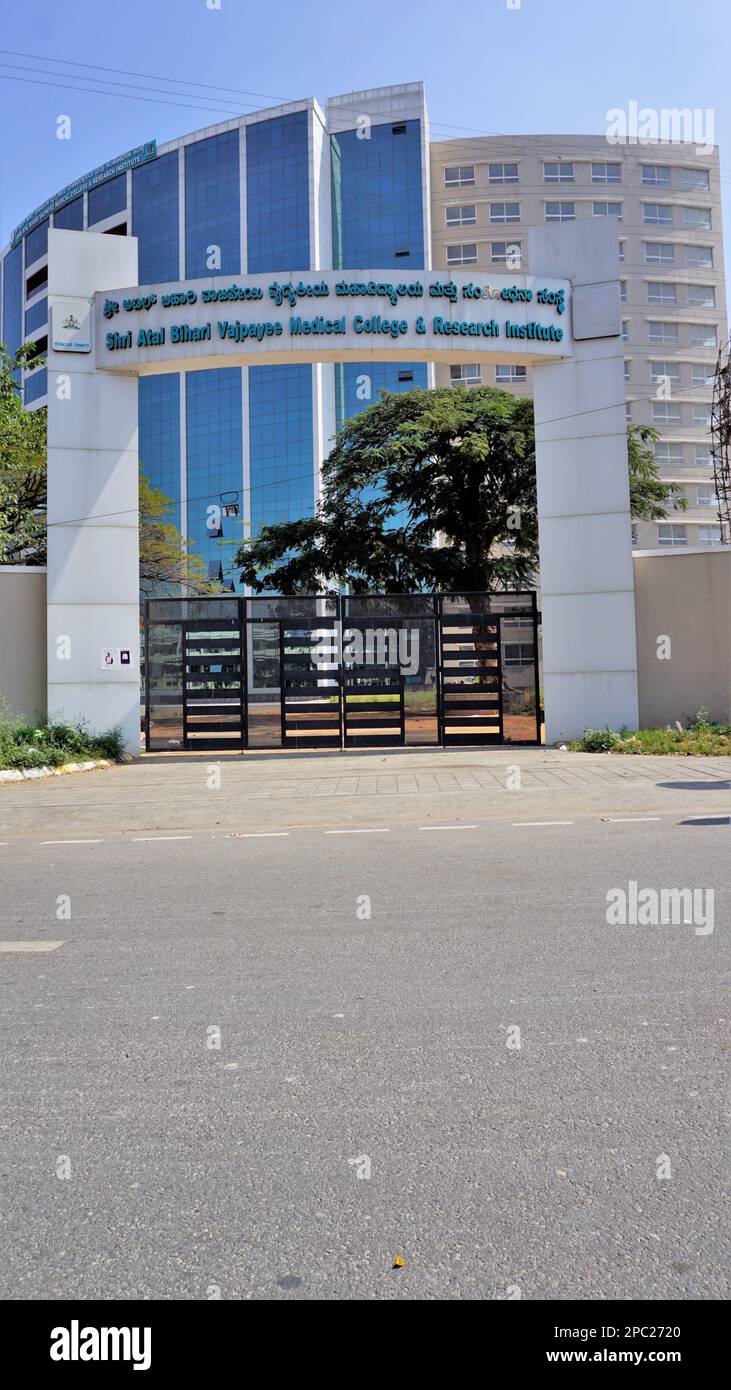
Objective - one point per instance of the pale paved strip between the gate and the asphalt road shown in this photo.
(272, 793)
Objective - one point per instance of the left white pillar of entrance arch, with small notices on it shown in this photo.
(94, 547)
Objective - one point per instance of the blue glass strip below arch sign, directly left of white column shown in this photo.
(281, 444)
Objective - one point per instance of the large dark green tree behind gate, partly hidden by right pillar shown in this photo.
(429, 490)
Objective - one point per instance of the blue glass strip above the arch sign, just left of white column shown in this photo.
(279, 194)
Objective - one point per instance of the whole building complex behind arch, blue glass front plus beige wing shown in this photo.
(298, 188)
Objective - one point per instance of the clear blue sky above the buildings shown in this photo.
(544, 66)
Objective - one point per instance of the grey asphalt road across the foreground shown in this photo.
(354, 1045)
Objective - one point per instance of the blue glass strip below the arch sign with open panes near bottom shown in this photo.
(215, 459)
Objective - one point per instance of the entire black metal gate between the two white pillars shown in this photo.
(330, 672)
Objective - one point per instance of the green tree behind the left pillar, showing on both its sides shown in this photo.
(169, 565)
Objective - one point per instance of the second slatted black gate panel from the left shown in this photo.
(311, 686)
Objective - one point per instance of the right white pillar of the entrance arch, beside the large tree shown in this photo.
(584, 523)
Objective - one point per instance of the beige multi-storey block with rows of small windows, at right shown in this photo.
(486, 194)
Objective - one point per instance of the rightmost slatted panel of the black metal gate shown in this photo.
(472, 679)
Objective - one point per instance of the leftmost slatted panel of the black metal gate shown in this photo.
(213, 665)
